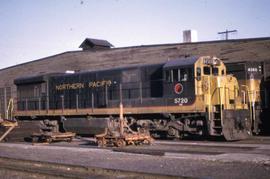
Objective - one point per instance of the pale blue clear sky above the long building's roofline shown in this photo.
(32, 29)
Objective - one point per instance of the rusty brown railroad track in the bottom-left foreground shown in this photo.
(35, 169)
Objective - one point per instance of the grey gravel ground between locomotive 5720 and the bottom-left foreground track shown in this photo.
(252, 161)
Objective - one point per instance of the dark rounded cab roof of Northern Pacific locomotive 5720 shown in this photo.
(184, 61)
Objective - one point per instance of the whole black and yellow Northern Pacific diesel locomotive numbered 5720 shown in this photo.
(182, 97)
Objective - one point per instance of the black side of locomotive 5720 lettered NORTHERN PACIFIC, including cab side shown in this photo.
(140, 86)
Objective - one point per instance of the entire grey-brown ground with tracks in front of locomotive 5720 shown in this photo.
(195, 159)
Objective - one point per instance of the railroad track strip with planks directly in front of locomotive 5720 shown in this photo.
(161, 147)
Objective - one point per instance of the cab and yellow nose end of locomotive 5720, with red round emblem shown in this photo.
(202, 82)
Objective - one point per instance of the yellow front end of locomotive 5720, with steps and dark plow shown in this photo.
(226, 110)
